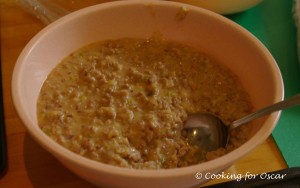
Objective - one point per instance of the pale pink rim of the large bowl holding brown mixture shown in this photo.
(208, 166)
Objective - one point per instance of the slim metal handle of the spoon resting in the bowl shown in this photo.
(290, 102)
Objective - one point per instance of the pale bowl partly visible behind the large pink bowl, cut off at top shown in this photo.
(223, 6)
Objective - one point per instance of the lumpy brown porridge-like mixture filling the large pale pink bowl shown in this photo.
(124, 102)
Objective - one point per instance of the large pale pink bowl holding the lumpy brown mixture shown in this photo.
(219, 37)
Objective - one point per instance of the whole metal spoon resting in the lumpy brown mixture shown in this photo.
(210, 133)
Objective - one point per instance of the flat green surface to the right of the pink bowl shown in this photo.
(272, 22)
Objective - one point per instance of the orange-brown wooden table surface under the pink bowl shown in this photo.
(29, 165)
